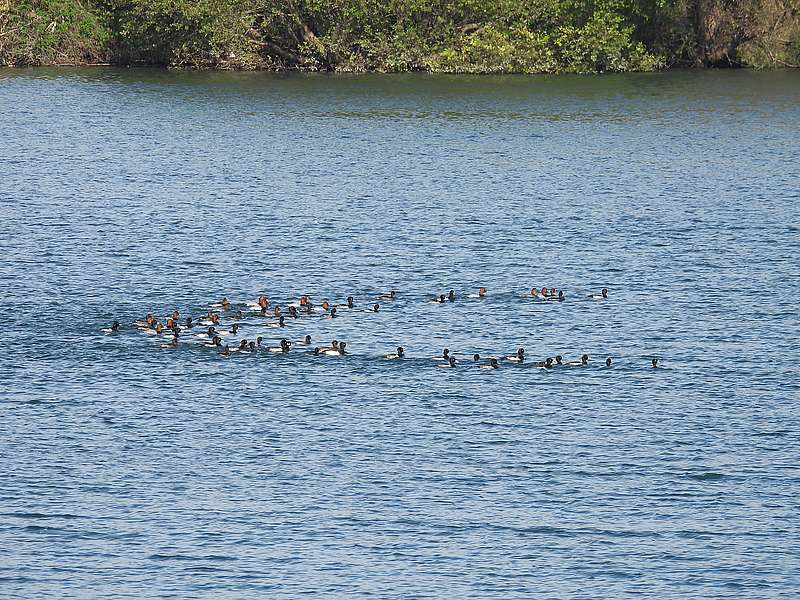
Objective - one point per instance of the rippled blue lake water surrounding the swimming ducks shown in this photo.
(128, 470)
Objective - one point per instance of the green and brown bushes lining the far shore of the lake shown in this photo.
(444, 36)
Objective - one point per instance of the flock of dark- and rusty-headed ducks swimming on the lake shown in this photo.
(227, 339)
